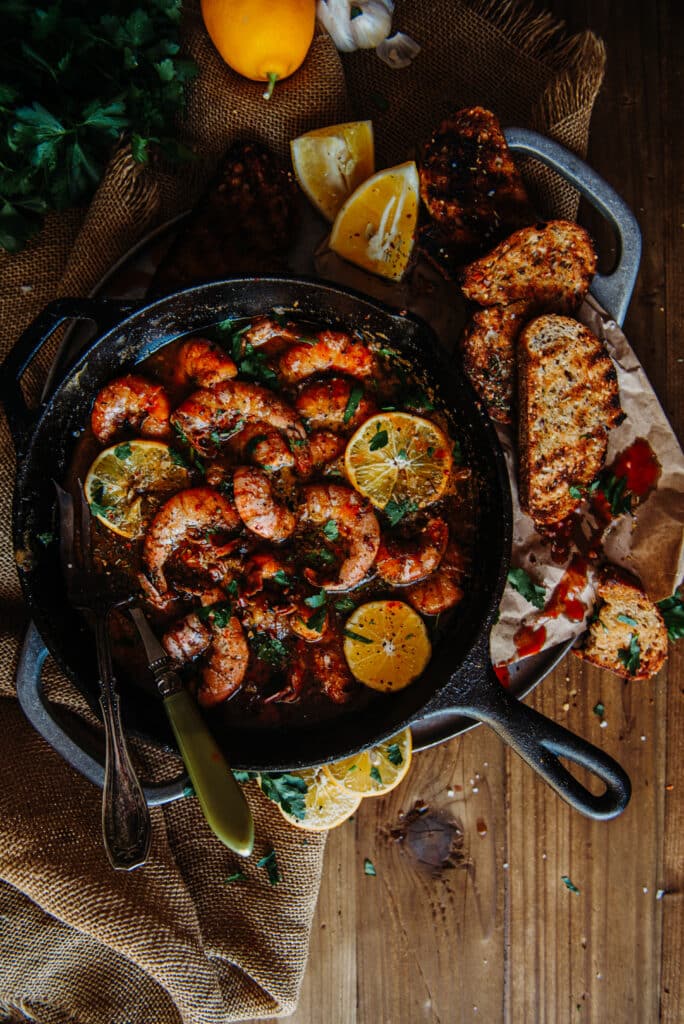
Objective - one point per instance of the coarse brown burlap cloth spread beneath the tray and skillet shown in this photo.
(174, 942)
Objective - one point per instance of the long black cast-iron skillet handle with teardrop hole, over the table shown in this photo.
(541, 742)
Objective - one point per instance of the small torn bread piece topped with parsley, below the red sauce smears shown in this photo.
(628, 635)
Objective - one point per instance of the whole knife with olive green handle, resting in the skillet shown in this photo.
(221, 797)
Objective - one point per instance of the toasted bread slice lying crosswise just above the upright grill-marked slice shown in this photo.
(550, 267)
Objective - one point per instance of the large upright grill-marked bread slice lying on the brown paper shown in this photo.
(568, 402)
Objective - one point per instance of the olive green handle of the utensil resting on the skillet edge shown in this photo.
(221, 797)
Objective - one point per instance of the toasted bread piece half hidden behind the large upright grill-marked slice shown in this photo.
(488, 349)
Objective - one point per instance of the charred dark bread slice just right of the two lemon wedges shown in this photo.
(471, 187)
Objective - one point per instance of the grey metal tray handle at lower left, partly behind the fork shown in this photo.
(71, 743)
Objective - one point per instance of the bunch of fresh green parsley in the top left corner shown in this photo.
(73, 82)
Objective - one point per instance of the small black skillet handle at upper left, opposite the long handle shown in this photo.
(106, 313)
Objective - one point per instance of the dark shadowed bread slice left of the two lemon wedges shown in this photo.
(244, 224)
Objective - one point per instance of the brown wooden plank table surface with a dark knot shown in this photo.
(496, 935)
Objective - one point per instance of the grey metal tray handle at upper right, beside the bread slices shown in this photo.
(614, 291)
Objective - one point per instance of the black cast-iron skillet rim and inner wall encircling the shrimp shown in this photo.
(65, 414)
